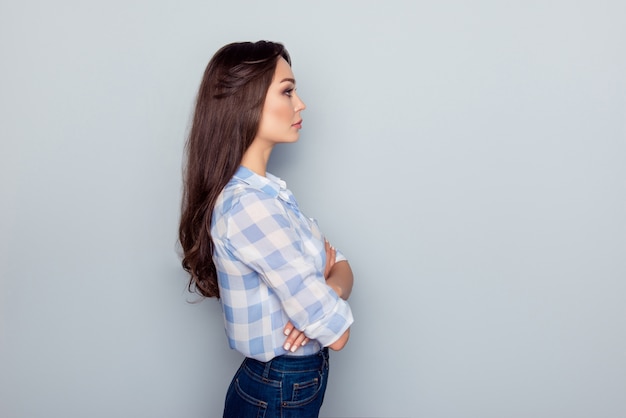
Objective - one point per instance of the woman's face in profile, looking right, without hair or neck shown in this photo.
(280, 118)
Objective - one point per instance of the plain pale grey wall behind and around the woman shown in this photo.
(468, 157)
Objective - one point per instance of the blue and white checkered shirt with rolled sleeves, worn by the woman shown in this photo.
(270, 261)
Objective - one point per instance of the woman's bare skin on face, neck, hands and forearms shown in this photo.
(281, 123)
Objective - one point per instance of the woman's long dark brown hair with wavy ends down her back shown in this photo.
(226, 119)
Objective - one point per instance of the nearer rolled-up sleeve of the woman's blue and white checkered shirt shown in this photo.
(262, 235)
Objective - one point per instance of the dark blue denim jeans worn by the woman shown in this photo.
(286, 386)
